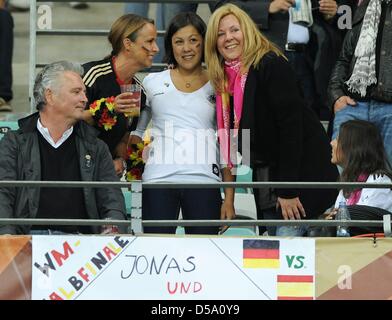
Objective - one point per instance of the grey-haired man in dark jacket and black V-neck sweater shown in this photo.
(54, 145)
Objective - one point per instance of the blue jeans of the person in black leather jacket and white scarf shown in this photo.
(380, 113)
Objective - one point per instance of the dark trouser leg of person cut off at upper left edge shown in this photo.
(6, 49)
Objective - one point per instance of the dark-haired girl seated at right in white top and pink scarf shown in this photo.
(359, 150)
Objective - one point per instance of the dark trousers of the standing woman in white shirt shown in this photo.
(195, 204)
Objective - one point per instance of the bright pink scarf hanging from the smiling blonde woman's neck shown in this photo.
(235, 87)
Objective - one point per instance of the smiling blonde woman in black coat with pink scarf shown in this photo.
(257, 90)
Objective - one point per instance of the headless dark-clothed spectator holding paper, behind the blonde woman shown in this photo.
(307, 32)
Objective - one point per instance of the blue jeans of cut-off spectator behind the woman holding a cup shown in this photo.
(141, 9)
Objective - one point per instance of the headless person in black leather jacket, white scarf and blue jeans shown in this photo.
(361, 82)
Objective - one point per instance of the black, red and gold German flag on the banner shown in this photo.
(261, 254)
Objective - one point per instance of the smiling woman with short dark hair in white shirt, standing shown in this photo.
(181, 104)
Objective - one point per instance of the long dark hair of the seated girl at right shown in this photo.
(362, 150)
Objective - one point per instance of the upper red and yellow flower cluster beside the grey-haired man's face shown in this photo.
(103, 112)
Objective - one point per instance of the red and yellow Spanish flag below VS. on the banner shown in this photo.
(295, 287)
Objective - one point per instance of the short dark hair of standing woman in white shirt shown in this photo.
(182, 20)
